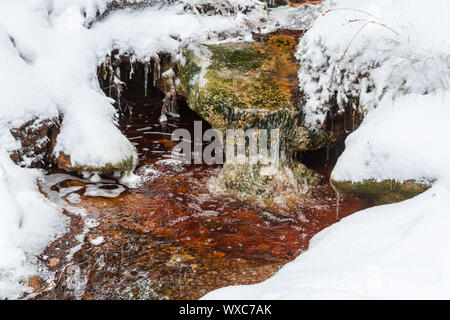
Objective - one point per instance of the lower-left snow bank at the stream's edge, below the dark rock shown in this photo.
(28, 222)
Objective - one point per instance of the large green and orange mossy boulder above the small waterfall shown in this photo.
(248, 85)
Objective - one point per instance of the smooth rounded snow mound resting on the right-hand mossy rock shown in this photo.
(402, 140)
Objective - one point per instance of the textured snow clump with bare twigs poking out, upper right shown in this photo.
(360, 49)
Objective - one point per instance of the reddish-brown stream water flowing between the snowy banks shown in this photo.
(170, 238)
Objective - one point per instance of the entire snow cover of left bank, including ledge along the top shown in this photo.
(49, 53)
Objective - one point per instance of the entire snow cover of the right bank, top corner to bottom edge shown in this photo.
(393, 251)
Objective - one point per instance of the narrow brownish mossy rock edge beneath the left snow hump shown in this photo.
(65, 163)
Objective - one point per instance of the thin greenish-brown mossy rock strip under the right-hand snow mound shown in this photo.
(381, 192)
